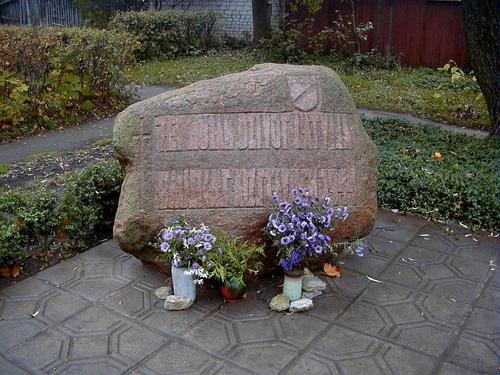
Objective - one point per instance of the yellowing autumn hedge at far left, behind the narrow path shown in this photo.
(52, 77)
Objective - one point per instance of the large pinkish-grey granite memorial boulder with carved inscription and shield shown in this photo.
(214, 152)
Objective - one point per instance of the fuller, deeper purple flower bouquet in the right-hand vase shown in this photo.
(298, 229)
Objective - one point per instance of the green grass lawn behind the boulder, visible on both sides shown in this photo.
(422, 92)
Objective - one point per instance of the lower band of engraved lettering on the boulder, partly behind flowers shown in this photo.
(248, 188)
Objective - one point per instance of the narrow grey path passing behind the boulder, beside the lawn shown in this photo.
(78, 137)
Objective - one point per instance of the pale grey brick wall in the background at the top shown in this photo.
(236, 14)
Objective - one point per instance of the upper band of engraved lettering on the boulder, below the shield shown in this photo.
(253, 131)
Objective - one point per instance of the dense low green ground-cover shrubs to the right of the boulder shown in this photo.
(461, 182)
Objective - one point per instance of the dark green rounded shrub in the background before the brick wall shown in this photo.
(170, 33)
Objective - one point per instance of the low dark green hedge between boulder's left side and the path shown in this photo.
(49, 221)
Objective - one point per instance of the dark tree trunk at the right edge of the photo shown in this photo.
(482, 34)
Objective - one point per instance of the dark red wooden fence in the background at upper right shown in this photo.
(424, 32)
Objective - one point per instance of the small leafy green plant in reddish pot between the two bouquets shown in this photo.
(232, 264)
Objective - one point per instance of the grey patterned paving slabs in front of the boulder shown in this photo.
(435, 310)
